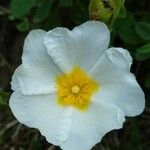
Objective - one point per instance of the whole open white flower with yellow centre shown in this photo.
(72, 88)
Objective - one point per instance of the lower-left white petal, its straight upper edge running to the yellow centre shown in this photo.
(43, 112)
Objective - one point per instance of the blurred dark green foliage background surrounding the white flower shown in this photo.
(130, 29)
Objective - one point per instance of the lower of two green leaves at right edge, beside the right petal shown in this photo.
(143, 52)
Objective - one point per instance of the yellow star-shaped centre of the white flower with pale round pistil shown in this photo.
(75, 89)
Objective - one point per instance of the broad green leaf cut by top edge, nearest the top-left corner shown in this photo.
(19, 8)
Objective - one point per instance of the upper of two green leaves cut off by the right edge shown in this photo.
(143, 30)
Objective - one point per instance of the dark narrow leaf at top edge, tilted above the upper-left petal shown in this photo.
(43, 11)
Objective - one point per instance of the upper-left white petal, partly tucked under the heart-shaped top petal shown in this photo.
(37, 73)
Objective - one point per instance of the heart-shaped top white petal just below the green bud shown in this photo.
(82, 46)
